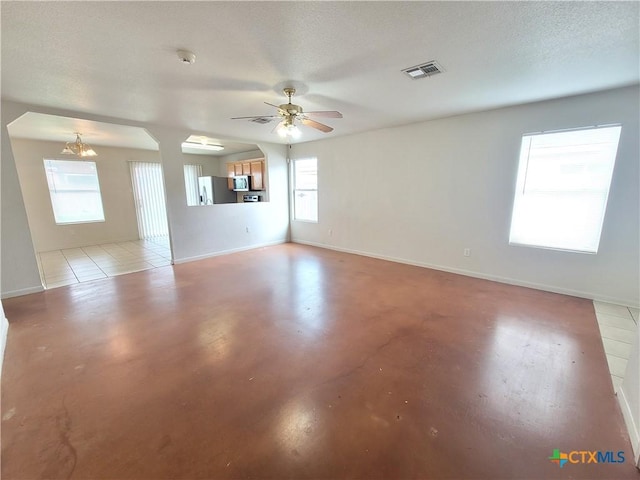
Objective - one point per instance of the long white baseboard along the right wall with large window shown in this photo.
(474, 274)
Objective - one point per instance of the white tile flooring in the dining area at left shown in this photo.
(74, 265)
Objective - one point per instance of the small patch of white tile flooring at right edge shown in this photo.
(618, 325)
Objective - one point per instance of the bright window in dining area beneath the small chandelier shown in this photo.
(74, 190)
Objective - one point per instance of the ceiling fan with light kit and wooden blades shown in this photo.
(289, 114)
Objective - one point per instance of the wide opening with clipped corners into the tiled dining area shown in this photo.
(85, 239)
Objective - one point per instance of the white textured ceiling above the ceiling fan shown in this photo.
(119, 58)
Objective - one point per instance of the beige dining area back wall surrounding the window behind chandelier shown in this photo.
(115, 186)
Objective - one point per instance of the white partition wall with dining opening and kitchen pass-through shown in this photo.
(195, 232)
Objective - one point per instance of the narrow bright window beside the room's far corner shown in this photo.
(305, 193)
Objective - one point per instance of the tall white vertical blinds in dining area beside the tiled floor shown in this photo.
(148, 193)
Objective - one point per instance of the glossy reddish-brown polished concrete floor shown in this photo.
(297, 362)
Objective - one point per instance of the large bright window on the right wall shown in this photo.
(562, 188)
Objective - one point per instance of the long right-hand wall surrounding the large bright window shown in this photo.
(422, 193)
